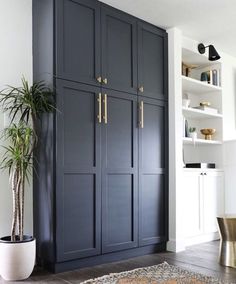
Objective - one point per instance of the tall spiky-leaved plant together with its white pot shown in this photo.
(24, 104)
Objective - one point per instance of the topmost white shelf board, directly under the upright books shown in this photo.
(197, 87)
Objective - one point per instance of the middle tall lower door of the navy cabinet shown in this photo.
(119, 173)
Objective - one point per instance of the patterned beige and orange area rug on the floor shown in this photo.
(162, 273)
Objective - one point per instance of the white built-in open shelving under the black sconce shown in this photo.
(197, 91)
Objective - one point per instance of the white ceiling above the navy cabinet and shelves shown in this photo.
(207, 21)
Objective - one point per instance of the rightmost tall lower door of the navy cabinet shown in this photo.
(153, 180)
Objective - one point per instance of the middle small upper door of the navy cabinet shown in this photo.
(119, 50)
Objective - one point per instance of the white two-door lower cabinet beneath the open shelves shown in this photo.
(203, 191)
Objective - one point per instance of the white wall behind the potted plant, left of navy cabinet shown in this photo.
(15, 61)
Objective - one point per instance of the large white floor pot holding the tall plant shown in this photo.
(17, 259)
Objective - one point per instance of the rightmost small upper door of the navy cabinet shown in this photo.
(152, 62)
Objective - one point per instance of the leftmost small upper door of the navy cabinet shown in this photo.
(78, 41)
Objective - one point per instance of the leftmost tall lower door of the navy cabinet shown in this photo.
(78, 175)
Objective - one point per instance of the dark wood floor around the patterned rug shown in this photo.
(201, 258)
